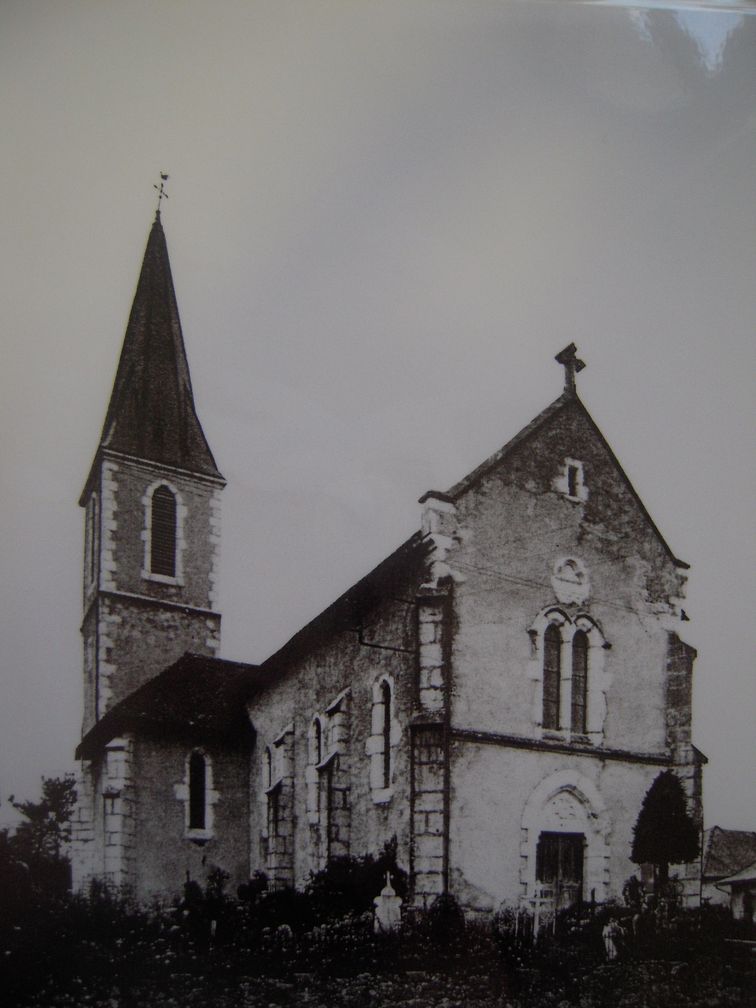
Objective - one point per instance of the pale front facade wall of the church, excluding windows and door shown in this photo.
(532, 553)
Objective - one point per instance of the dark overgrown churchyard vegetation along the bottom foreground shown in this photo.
(99, 952)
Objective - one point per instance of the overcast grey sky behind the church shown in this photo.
(385, 220)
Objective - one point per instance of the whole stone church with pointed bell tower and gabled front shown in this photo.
(498, 695)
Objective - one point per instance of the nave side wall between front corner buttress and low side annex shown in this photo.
(381, 645)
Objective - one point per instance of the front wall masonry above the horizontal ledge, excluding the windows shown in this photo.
(521, 529)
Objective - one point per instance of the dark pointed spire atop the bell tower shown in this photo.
(152, 413)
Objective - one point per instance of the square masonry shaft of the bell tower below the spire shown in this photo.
(136, 625)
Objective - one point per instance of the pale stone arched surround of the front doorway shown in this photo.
(588, 815)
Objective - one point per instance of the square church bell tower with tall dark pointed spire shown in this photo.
(153, 509)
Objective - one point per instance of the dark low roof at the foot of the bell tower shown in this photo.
(198, 696)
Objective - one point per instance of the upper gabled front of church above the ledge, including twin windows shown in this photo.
(565, 593)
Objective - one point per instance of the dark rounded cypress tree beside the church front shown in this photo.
(665, 834)
